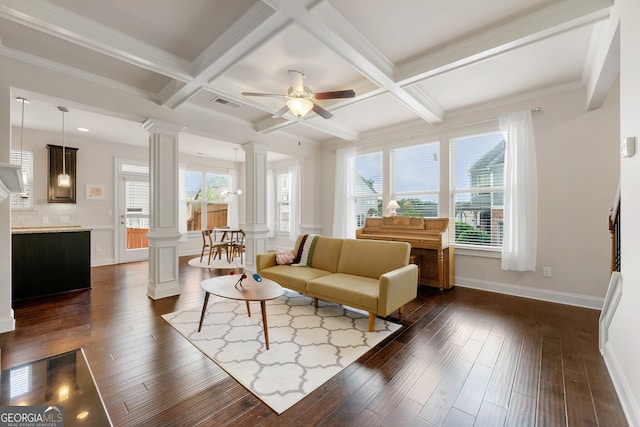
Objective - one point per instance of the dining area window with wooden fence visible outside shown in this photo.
(204, 193)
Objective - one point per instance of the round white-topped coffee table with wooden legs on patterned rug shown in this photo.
(251, 290)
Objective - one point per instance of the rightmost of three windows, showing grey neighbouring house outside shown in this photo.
(477, 176)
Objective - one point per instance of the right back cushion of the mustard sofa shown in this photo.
(372, 258)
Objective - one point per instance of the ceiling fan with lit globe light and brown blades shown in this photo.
(301, 99)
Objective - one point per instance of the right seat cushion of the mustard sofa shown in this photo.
(355, 291)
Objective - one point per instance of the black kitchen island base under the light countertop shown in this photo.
(45, 263)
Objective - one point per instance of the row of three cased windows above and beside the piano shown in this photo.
(411, 175)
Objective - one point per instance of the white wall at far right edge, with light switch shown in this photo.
(623, 348)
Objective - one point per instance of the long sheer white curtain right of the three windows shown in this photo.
(520, 230)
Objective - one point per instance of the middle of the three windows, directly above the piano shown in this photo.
(416, 179)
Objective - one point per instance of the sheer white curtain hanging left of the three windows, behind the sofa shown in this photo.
(344, 210)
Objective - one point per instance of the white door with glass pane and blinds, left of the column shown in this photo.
(133, 224)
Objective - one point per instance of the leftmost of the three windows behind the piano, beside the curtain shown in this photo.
(368, 186)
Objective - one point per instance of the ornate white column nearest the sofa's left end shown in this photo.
(255, 226)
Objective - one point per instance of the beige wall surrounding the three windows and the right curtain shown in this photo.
(577, 156)
